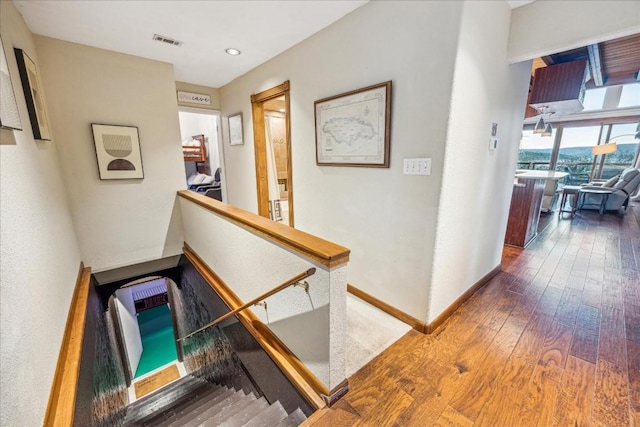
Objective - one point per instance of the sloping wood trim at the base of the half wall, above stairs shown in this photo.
(299, 375)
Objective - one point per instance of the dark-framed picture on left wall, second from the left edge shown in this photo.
(33, 95)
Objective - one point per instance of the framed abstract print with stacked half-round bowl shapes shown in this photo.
(117, 151)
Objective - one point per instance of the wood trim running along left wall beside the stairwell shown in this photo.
(62, 399)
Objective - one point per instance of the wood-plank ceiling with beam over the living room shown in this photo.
(611, 62)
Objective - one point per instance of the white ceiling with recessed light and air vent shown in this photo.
(260, 29)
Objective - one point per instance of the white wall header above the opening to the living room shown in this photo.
(545, 27)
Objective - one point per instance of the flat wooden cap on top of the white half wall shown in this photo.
(319, 250)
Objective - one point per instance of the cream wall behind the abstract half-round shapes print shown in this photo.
(117, 222)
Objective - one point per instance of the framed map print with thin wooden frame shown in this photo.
(353, 128)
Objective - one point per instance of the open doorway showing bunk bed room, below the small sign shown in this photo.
(202, 151)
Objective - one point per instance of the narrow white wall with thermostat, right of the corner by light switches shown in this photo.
(477, 183)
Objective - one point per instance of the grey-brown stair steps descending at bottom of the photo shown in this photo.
(192, 402)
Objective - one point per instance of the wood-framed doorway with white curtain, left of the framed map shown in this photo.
(272, 145)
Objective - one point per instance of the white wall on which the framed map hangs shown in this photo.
(387, 219)
